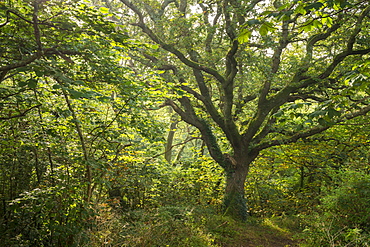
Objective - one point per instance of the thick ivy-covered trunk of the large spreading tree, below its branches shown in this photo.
(234, 200)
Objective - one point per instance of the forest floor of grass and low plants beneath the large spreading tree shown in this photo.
(176, 226)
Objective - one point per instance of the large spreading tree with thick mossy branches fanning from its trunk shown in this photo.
(261, 73)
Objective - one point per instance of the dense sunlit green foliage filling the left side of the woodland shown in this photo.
(65, 95)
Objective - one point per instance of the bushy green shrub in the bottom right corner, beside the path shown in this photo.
(343, 218)
